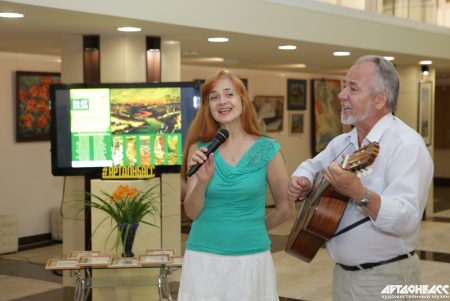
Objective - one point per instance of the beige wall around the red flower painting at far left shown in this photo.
(28, 190)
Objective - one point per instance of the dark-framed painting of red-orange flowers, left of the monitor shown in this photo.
(32, 105)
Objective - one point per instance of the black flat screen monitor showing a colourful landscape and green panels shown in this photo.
(131, 124)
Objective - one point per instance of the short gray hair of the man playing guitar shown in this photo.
(386, 78)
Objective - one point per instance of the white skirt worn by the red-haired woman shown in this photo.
(211, 277)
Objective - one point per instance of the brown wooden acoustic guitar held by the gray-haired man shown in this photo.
(322, 210)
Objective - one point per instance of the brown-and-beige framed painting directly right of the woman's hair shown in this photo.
(269, 111)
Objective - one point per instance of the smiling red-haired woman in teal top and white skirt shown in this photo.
(227, 254)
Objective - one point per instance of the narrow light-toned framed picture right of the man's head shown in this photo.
(425, 110)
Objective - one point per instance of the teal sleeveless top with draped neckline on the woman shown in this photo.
(232, 221)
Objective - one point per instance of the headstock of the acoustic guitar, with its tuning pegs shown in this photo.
(362, 158)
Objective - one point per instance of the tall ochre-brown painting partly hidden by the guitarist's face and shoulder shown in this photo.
(326, 113)
